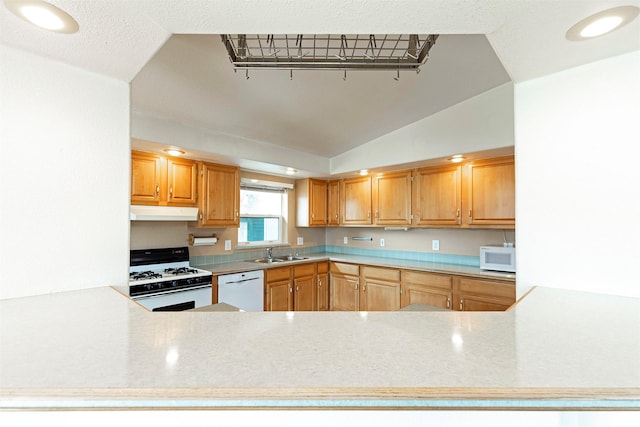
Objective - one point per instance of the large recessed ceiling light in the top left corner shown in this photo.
(43, 15)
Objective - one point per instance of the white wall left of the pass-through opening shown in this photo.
(64, 177)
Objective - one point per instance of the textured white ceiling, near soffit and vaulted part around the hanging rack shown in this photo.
(118, 38)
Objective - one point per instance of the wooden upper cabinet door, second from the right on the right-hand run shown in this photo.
(437, 196)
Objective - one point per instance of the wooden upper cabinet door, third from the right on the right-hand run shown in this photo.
(392, 198)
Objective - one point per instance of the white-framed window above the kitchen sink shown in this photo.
(261, 215)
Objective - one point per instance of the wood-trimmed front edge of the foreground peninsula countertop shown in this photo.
(510, 398)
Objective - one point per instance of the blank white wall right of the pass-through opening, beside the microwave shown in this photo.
(578, 179)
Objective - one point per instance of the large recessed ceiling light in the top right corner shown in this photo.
(602, 23)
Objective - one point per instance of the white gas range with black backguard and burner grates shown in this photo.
(163, 280)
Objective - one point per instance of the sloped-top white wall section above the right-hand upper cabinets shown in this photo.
(483, 122)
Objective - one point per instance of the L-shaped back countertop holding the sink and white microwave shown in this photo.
(436, 267)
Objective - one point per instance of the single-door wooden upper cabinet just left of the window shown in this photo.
(220, 200)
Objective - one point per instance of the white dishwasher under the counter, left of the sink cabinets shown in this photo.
(242, 290)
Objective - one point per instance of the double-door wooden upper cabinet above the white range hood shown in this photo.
(160, 180)
